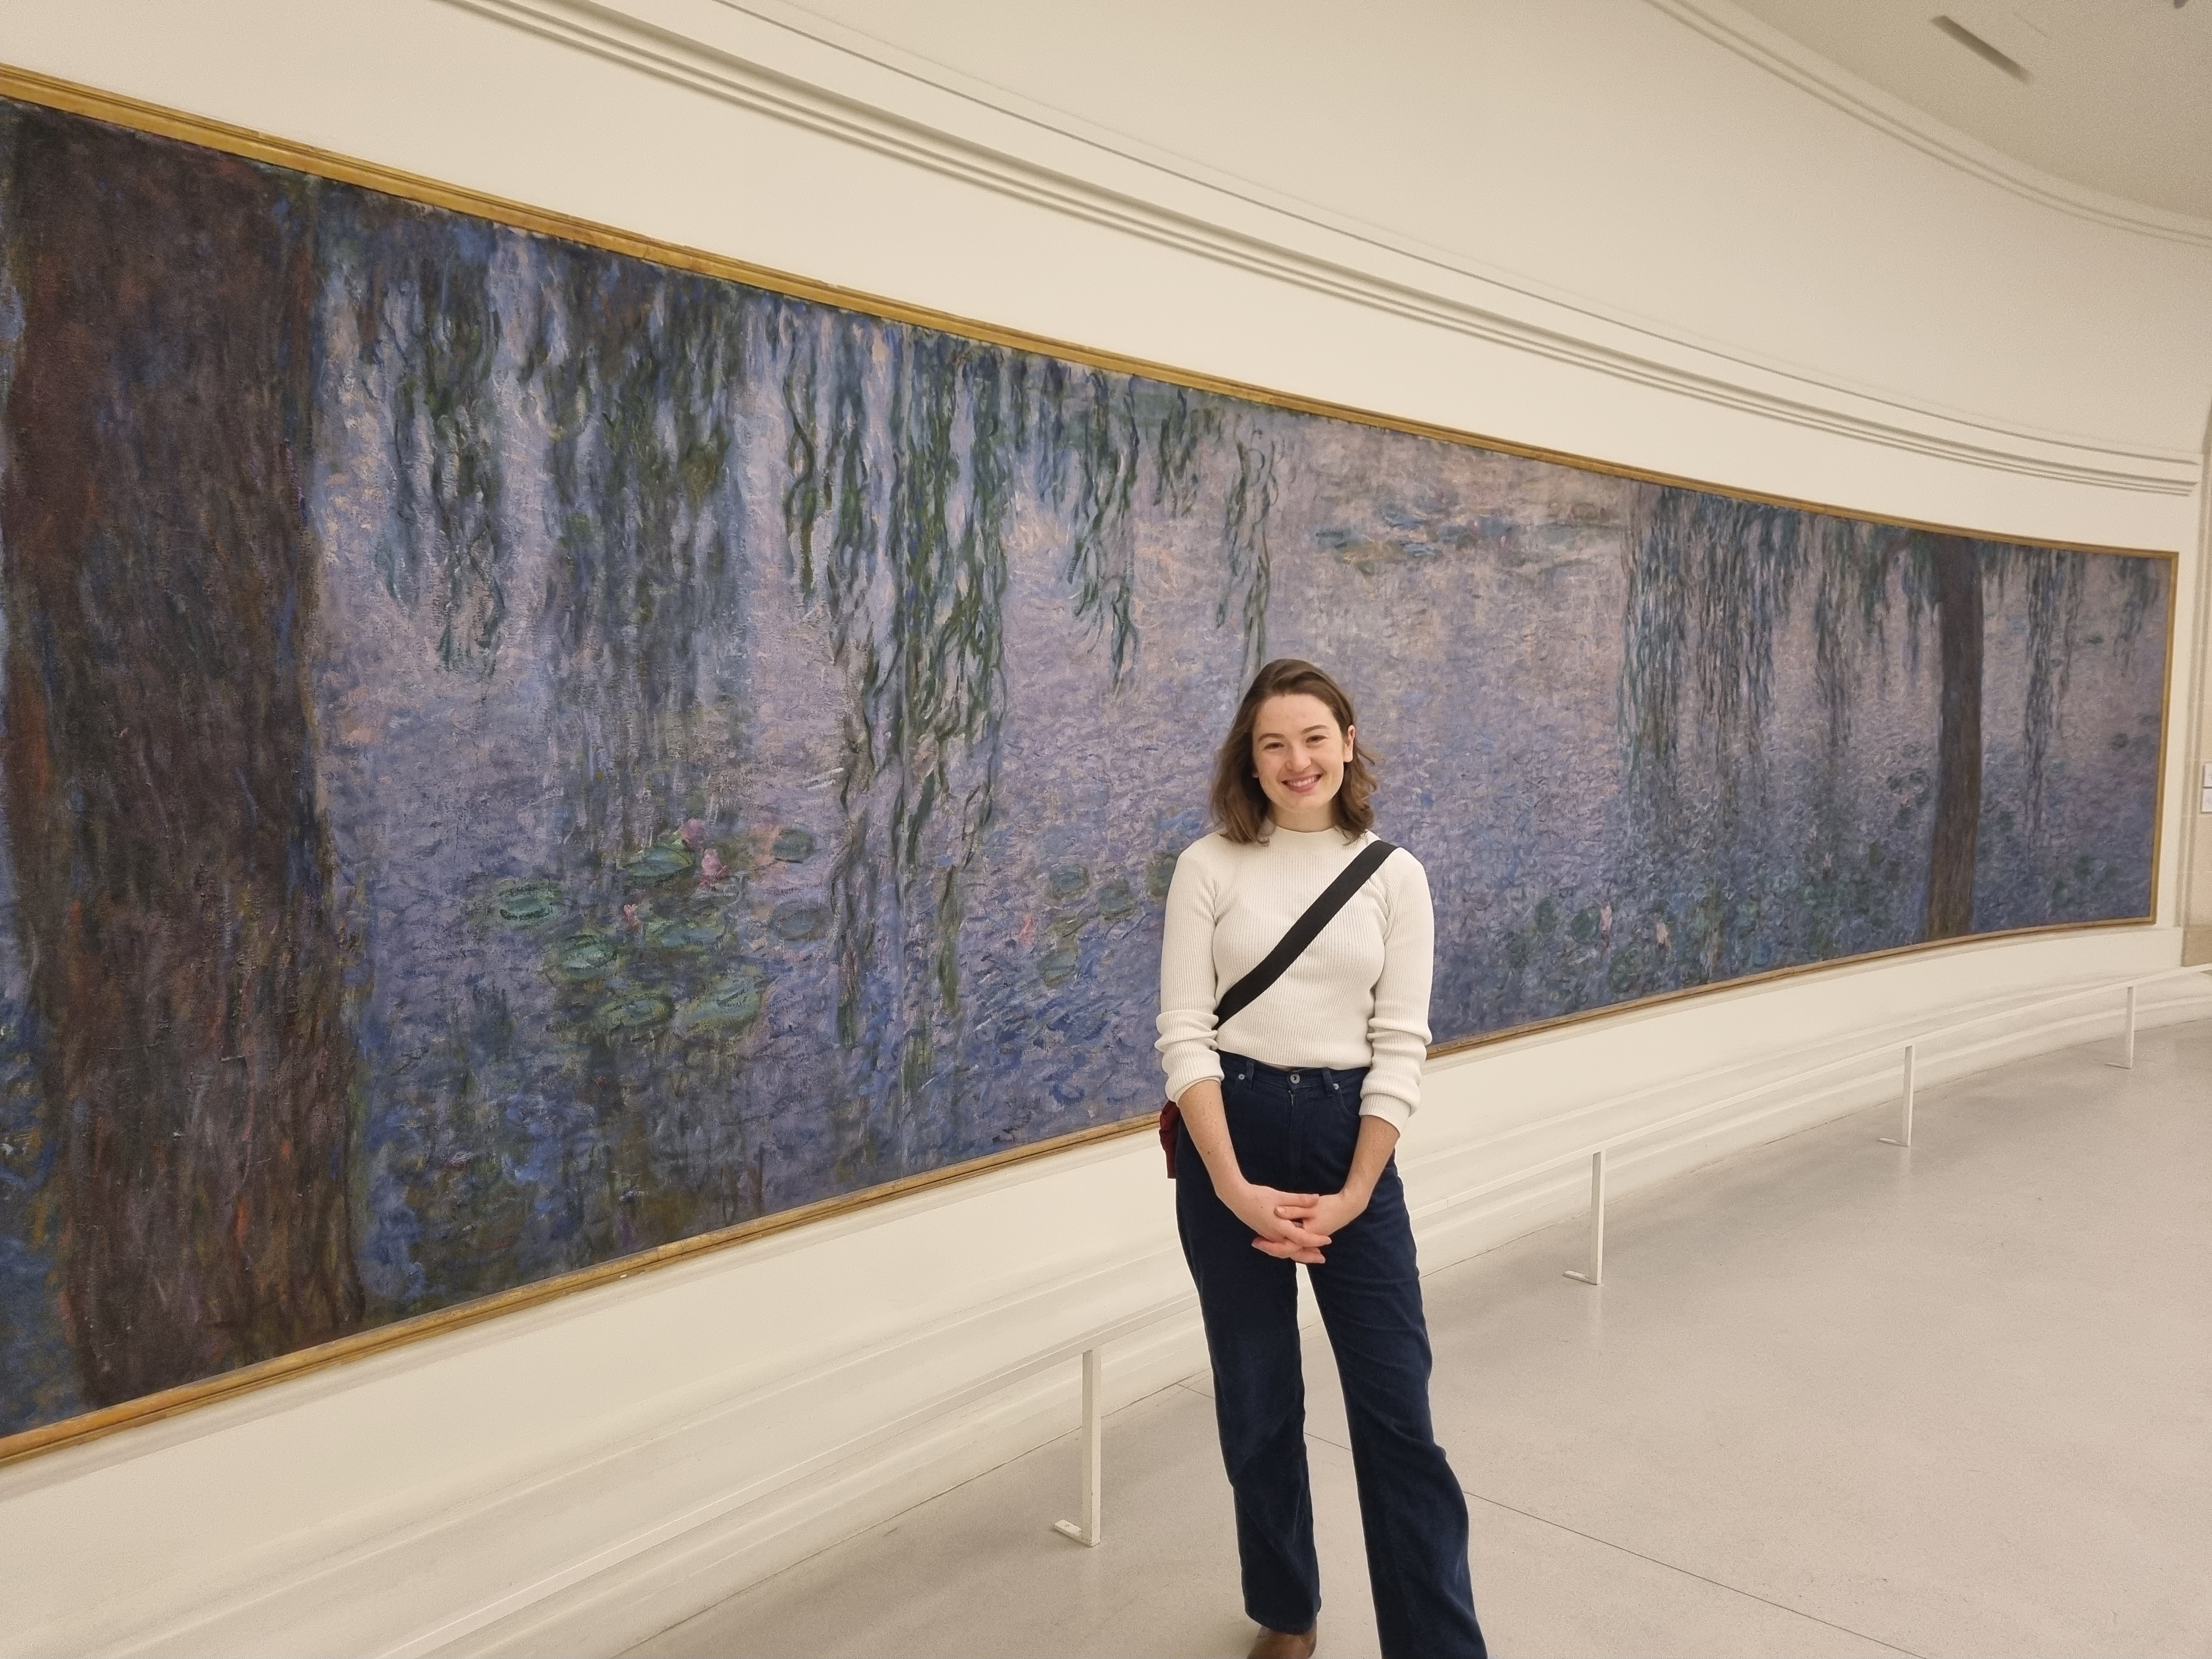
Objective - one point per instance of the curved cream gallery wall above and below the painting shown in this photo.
(1642, 231)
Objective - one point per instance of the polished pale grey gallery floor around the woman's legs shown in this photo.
(1835, 1399)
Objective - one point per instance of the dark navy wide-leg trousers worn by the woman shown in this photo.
(1295, 1131)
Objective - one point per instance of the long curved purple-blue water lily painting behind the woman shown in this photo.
(517, 755)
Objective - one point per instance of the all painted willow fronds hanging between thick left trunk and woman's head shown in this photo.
(910, 461)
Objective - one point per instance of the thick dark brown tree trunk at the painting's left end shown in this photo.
(171, 862)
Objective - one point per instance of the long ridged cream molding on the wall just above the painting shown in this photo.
(983, 138)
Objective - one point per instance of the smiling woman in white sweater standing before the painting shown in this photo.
(1288, 1120)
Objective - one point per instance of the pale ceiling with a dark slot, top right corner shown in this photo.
(2120, 96)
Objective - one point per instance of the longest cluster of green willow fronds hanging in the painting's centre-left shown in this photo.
(908, 559)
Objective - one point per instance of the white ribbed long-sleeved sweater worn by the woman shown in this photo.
(1357, 999)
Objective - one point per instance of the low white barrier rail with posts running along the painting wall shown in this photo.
(1092, 1348)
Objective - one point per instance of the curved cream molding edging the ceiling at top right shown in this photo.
(1762, 43)
